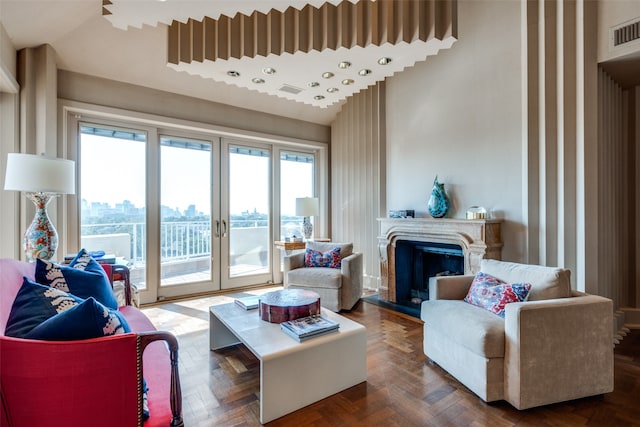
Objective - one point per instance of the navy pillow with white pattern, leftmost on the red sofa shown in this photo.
(35, 303)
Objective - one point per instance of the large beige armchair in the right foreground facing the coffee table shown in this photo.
(555, 346)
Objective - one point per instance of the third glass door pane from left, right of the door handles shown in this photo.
(246, 232)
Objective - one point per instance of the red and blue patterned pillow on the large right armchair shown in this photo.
(493, 294)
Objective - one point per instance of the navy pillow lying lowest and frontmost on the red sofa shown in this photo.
(89, 319)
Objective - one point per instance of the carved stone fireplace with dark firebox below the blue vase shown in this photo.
(464, 242)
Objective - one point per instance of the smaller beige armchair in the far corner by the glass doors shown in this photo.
(339, 288)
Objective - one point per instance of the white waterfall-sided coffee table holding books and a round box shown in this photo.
(292, 374)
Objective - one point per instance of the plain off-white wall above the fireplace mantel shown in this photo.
(459, 116)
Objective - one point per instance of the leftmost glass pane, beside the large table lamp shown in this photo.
(113, 196)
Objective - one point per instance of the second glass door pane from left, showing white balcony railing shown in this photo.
(185, 215)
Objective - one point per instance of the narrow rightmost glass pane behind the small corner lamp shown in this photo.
(296, 180)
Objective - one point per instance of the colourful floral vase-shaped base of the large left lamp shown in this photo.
(41, 238)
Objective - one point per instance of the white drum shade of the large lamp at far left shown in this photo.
(33, 173)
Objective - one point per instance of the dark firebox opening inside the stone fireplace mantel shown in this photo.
(417, 261)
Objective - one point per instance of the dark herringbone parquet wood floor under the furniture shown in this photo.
(403, 388)
